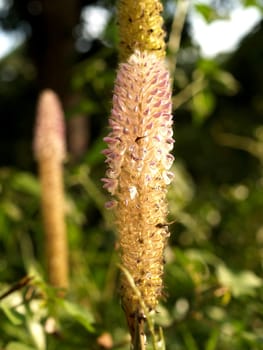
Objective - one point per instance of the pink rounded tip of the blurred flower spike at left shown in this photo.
(49, 137)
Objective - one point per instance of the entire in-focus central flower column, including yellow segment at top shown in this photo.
(139, 160)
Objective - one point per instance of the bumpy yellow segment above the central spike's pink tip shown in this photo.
(140, 27)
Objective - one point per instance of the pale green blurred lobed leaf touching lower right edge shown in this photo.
(239, 283)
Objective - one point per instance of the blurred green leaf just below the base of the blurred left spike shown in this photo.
(81, 315)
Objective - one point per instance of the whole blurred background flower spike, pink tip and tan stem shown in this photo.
(49, 151)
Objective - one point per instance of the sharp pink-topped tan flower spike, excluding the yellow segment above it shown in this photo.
(139, 159)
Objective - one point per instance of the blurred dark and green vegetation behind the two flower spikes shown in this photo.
(213, 281)
